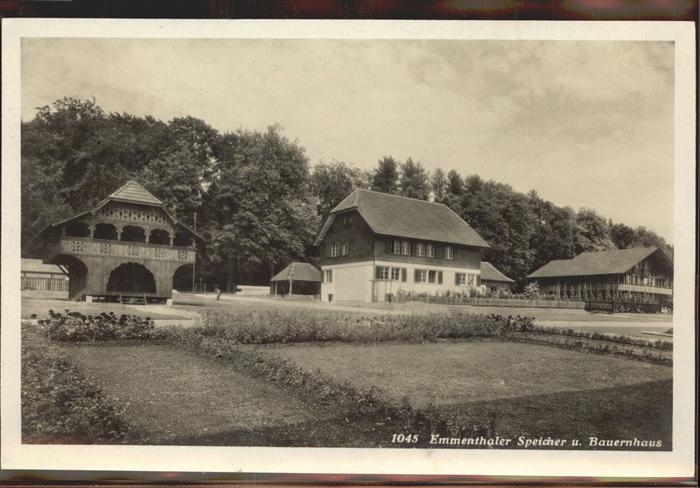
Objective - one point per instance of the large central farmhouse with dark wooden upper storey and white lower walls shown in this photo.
(375, 246)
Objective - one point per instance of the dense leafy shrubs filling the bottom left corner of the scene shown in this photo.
(59, 405)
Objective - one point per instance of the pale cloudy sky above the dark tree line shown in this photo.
(584, 123)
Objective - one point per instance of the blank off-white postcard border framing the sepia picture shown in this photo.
(678, 463)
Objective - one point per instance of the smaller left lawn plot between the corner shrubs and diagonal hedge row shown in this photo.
(172, 396)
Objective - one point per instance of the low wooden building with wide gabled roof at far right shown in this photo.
(637, 275)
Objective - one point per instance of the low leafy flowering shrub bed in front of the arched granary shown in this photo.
(76, 327)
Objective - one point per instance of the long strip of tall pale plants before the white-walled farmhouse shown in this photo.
(272, 326)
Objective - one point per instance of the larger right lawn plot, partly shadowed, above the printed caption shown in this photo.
(524, 388)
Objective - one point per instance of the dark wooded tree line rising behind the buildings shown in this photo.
(258, 200)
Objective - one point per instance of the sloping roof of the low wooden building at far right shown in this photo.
(616, 261)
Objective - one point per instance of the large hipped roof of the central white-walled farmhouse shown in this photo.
(399, 216)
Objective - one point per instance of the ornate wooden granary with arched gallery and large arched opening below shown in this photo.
(128, 247)
